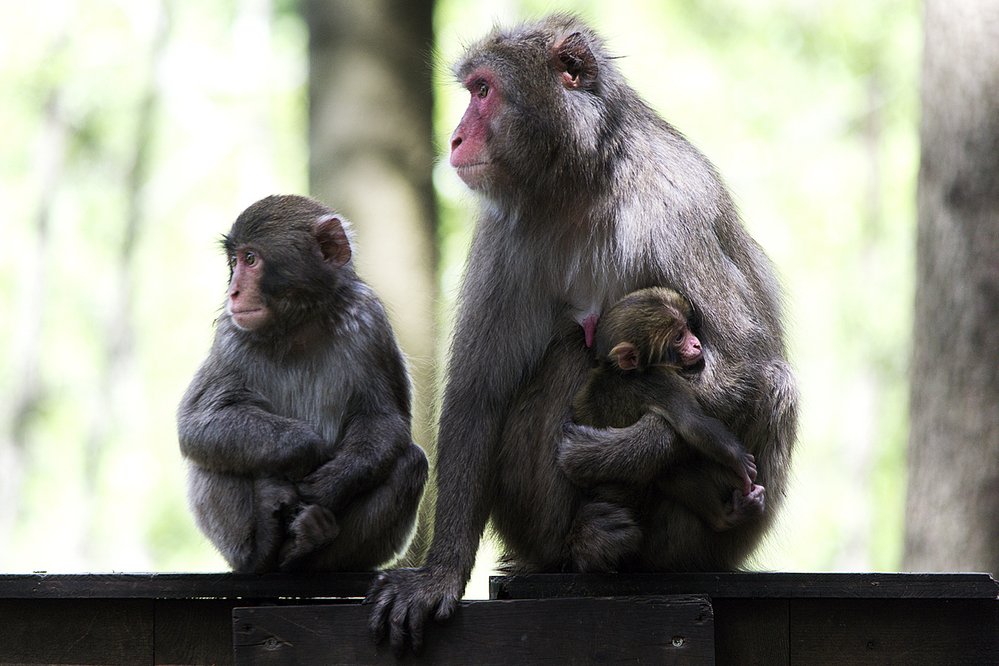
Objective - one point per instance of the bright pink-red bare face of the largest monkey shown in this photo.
(469, 142)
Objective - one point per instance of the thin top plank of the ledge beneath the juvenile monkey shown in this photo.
(184, 586)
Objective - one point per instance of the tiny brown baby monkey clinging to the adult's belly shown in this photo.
(643, 344)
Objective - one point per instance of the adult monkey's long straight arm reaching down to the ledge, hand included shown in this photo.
(504, 325)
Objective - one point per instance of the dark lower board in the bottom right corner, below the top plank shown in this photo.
(894, 631)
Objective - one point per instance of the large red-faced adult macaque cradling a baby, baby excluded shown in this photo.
(587, 194)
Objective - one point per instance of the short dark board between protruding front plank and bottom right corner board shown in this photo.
(751, 632)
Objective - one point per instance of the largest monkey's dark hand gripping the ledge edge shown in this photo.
(403, 599)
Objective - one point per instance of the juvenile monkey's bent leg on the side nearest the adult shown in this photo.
(376, 526)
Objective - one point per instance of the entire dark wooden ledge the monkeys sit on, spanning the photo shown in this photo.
(729, 618)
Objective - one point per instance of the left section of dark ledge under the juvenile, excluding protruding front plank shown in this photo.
(136, 618)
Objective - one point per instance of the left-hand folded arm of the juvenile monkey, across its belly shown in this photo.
(225, 428)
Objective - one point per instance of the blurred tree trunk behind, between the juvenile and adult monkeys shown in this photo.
(371, 158)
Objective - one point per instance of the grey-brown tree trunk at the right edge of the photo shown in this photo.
(952, 513)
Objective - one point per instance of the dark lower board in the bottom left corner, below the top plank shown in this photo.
(76, 631)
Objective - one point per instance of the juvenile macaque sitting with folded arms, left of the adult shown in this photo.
(297, 426)
